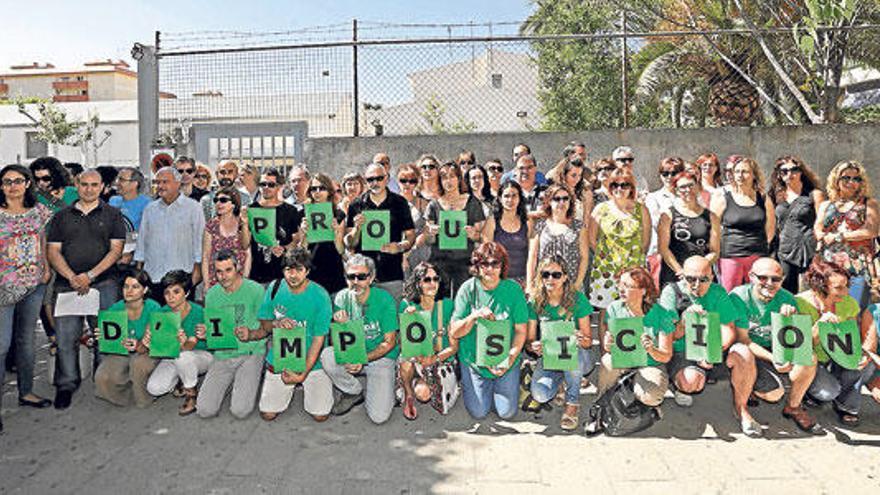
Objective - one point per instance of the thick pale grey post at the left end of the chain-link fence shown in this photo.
(148, 101)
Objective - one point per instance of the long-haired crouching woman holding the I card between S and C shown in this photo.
(555, 298)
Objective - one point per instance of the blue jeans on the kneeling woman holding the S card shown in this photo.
(481, 394)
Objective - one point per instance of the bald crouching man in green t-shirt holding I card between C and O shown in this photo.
(696, 292)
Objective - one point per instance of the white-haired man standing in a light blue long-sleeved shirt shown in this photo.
(170, 237)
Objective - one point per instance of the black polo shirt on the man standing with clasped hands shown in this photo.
(85, 238)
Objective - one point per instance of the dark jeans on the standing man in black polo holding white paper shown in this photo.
(68, 330)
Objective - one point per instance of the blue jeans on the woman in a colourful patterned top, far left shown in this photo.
(19, 321)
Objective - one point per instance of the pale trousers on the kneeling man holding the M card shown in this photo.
(317, 389)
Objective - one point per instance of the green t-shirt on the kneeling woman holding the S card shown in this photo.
(506, 301)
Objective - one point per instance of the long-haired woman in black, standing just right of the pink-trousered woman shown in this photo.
(796, 191)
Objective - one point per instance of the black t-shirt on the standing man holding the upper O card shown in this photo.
(389, 267)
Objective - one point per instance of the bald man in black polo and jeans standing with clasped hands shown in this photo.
(85, 241)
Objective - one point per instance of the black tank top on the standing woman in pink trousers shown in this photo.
(742, 228)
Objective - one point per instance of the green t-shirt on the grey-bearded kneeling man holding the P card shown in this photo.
(378, 315)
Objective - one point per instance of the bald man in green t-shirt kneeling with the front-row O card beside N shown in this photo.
(755, 302)
